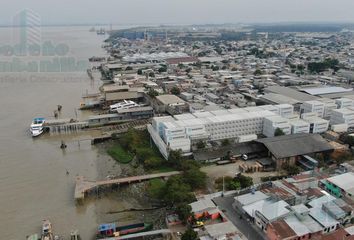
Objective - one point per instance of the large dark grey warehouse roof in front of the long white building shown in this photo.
(295, 145)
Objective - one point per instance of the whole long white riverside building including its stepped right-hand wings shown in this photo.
(242, 124)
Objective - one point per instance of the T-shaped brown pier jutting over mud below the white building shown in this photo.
(83, 186)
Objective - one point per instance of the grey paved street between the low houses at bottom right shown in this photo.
(247, 229)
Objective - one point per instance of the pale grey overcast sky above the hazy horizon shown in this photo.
(181, 11)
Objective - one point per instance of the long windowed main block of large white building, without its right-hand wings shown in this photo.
(180, 131)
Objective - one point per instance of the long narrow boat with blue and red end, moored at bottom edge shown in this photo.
(112, 230)
